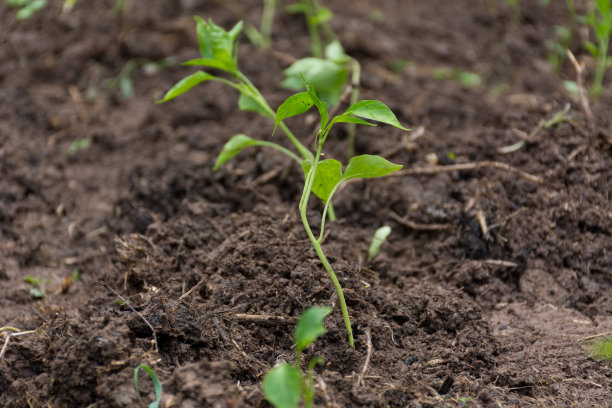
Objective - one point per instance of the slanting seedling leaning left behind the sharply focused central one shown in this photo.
(219, 51)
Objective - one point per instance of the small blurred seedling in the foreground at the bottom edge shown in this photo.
(285, 385)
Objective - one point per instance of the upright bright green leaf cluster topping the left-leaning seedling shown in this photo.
(218, 44)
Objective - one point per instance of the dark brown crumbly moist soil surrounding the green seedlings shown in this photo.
(494, 277)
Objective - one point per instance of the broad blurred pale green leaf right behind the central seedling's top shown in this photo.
(326, 76)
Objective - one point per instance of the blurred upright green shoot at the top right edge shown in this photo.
(600, 20)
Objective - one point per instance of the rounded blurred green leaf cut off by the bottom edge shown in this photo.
(283, 385)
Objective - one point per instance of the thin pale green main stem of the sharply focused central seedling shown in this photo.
(317, 246)
